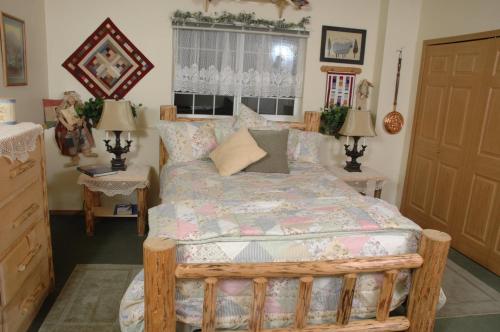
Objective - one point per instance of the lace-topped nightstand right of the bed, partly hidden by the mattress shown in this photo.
(368, 182)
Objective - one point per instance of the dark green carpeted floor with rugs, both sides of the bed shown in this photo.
(472, 290)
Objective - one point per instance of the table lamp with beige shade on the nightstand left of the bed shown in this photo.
(117, 117)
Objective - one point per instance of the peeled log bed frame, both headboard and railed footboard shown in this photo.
(161, 271)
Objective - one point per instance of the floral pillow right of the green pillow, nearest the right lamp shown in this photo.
(304, 145)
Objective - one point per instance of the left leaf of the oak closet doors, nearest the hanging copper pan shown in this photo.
(449, 92)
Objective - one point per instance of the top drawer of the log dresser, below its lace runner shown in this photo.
(16, 175)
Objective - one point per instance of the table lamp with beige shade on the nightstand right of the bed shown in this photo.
(357, 124)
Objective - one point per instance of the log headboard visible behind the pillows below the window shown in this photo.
(169, 113)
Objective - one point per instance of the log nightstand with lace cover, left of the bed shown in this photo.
(135, 178)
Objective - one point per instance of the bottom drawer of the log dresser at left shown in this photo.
(17, 316)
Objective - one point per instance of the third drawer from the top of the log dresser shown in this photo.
(22, 261)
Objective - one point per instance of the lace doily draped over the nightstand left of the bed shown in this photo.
(122, 183)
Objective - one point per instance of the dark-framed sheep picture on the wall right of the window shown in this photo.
(343, 45)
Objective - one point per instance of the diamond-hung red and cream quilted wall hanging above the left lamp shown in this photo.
(107, 63)
